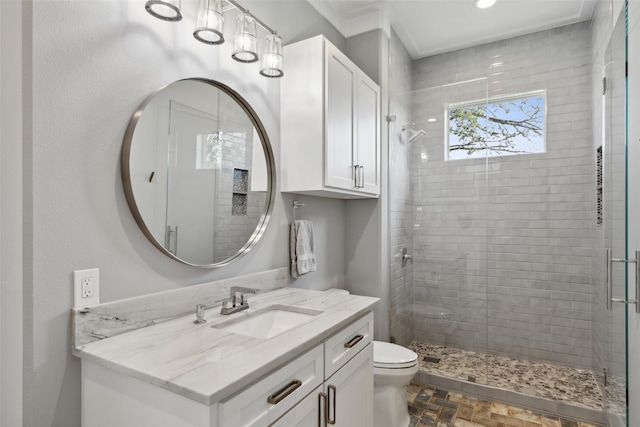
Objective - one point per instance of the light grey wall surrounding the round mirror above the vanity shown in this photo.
(93, 64)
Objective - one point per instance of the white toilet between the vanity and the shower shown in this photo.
(393, 368)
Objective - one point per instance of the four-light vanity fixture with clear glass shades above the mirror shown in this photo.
(210, 30)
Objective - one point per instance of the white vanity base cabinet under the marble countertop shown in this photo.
(331, 381)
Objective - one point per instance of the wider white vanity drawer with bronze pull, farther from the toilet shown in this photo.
(268, 399)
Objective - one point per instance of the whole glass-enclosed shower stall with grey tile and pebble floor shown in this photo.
(507, 189)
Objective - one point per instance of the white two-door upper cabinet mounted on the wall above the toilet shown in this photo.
(330, 123)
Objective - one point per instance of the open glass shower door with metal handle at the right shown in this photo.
(611, 321)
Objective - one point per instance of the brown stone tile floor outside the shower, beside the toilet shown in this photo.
(430, 407)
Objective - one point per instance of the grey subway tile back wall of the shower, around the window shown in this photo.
(505, 245)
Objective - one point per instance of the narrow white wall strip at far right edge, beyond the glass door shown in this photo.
(634, 201)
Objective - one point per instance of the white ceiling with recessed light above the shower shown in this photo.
(429, 27)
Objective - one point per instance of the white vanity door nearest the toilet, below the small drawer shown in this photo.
(350, 392)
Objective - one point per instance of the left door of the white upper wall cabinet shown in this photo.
(340, 104)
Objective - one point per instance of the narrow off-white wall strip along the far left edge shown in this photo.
(10, 214)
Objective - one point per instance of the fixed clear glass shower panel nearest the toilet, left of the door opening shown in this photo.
(448, 306)
